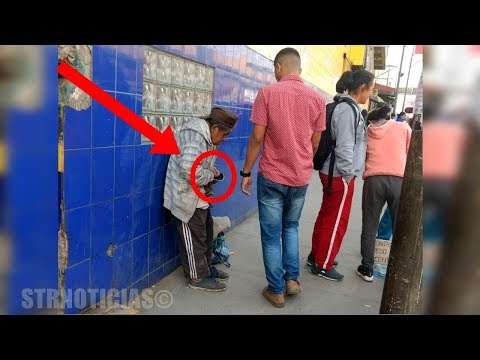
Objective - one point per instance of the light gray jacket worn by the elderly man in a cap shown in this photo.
(193, 140)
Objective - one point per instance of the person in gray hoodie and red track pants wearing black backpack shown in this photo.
(340, 158)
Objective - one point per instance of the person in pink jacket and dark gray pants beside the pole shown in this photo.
(387, 148)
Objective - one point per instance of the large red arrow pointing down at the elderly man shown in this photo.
(164, 143)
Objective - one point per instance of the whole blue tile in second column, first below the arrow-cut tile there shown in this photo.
(102, 174)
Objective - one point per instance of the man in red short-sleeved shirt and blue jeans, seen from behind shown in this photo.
(288, 118)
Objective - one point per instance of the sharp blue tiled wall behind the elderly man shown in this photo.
(114, 189)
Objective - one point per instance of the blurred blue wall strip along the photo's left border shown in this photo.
(32, 193)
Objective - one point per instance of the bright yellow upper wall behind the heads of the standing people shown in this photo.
(322, 65)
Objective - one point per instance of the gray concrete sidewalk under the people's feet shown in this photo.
(247, 277)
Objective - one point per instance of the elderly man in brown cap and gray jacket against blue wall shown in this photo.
(191, 214)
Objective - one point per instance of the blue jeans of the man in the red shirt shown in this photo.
(279, 207)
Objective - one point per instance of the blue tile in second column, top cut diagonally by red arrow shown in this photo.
(103, 125)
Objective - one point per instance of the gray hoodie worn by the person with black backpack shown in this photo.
(349, 156)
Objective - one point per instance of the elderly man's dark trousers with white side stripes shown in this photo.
(195, 240)
